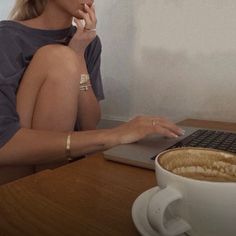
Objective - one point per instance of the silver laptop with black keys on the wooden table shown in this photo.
(143, 153)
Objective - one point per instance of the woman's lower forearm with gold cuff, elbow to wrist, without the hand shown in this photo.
(31, 147)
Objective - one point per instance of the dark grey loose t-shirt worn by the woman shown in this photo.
(18, 43)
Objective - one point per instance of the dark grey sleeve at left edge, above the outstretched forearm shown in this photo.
(9, 79)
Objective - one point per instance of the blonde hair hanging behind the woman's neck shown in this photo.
(27, 9)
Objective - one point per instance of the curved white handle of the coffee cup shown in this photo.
(156, 210)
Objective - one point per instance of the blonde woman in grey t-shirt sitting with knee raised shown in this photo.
(50, 82)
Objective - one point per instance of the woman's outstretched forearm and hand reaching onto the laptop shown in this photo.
(32, 147)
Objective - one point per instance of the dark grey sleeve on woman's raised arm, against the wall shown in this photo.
(93, 61)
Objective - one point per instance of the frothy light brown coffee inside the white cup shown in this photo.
(201, 164)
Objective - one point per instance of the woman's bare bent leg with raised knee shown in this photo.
(48, 95)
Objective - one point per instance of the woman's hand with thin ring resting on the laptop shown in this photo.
(143, 126)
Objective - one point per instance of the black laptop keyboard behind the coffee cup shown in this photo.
(220, 140)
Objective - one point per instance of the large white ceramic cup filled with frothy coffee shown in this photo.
(204, 207)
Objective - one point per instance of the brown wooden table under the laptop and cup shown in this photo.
(88, 197)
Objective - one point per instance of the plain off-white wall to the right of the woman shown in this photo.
(175, 58)
